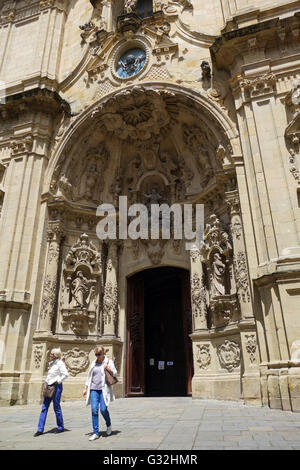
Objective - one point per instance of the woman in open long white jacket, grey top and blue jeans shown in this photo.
(98, 392)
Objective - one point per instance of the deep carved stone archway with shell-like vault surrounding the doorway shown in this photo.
(148, 144)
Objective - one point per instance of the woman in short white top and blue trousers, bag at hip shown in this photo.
(56, 374)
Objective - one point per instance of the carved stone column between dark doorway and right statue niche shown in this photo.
(198, 291)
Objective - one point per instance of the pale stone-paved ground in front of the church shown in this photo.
(155, 423)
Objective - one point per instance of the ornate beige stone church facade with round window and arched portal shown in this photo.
(166, 101)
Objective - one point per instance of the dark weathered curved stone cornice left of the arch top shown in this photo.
(37, 99)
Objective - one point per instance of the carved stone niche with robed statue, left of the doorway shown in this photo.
(80, 289)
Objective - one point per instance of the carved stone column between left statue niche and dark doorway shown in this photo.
(111, 291)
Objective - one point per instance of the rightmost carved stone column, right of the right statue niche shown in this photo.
(240, 264)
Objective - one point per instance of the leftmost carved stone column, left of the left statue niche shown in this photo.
(49, 296)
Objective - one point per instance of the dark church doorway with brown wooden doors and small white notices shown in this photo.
(159, 351)
